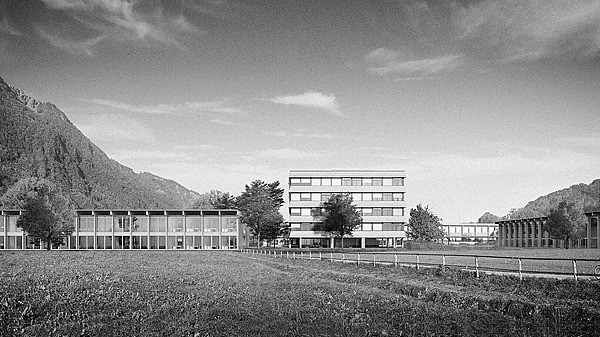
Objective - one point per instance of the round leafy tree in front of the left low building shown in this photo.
(47, 215)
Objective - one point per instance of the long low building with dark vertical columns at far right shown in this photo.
(529, 233)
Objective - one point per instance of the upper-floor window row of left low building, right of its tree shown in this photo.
(158, 224)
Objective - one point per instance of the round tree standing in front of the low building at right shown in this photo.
(565, 222)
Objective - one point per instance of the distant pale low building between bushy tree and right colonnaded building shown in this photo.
(470, 233)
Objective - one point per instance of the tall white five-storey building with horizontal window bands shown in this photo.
(377, 194)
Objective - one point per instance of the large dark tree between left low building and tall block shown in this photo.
(259, 208)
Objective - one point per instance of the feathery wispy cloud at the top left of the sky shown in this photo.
(115, 20)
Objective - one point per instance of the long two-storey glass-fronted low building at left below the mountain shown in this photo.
(138, 229)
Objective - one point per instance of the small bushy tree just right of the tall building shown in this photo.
(424, 225)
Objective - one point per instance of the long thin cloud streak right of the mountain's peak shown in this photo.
(173, 109)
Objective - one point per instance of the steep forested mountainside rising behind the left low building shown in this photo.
(38, 140)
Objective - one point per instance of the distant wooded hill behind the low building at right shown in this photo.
(586, 197)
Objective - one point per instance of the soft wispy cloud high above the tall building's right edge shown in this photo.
(389, 62)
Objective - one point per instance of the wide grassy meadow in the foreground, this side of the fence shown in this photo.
(145, 293)
